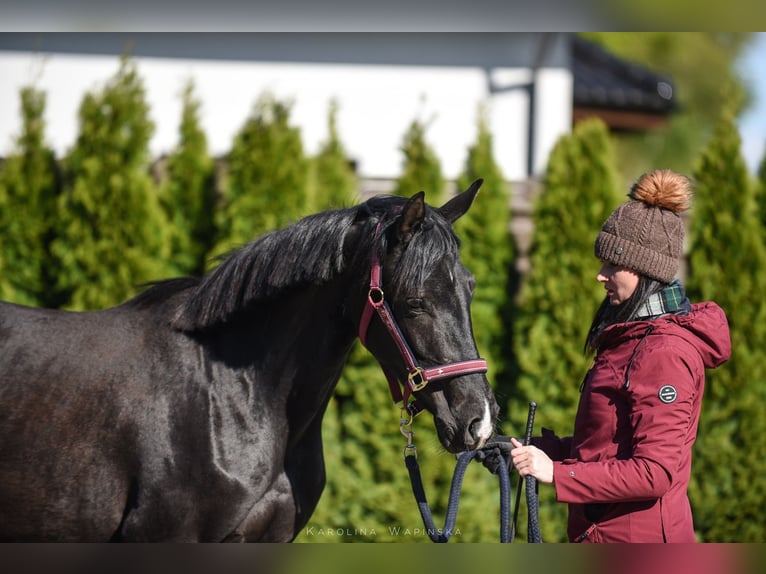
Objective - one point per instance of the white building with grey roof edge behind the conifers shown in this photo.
(381, 81)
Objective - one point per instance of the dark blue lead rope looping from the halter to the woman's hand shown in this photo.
(494, 447)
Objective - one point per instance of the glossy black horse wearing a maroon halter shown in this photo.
(193, 412)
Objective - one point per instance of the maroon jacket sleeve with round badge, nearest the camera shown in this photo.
(662, 432)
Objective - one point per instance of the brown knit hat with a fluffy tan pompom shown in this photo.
(646, 234)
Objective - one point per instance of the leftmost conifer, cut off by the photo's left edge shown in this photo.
(28, 186)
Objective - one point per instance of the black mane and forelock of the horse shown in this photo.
(308, 252)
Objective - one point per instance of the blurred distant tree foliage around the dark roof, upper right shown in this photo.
(702, 68)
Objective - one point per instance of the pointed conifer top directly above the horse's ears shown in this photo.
(421, 170)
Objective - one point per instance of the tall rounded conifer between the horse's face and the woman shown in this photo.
(559, 295)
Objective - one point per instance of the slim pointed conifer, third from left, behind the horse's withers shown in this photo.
(189, 196)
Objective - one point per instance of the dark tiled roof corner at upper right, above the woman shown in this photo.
(601, 80)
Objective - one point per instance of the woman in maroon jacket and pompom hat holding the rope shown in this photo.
(625, 470)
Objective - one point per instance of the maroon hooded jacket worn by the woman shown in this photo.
(625, 471)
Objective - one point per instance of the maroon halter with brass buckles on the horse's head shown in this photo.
(417, 377)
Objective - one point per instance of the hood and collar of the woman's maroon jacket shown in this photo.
(705, 327)
